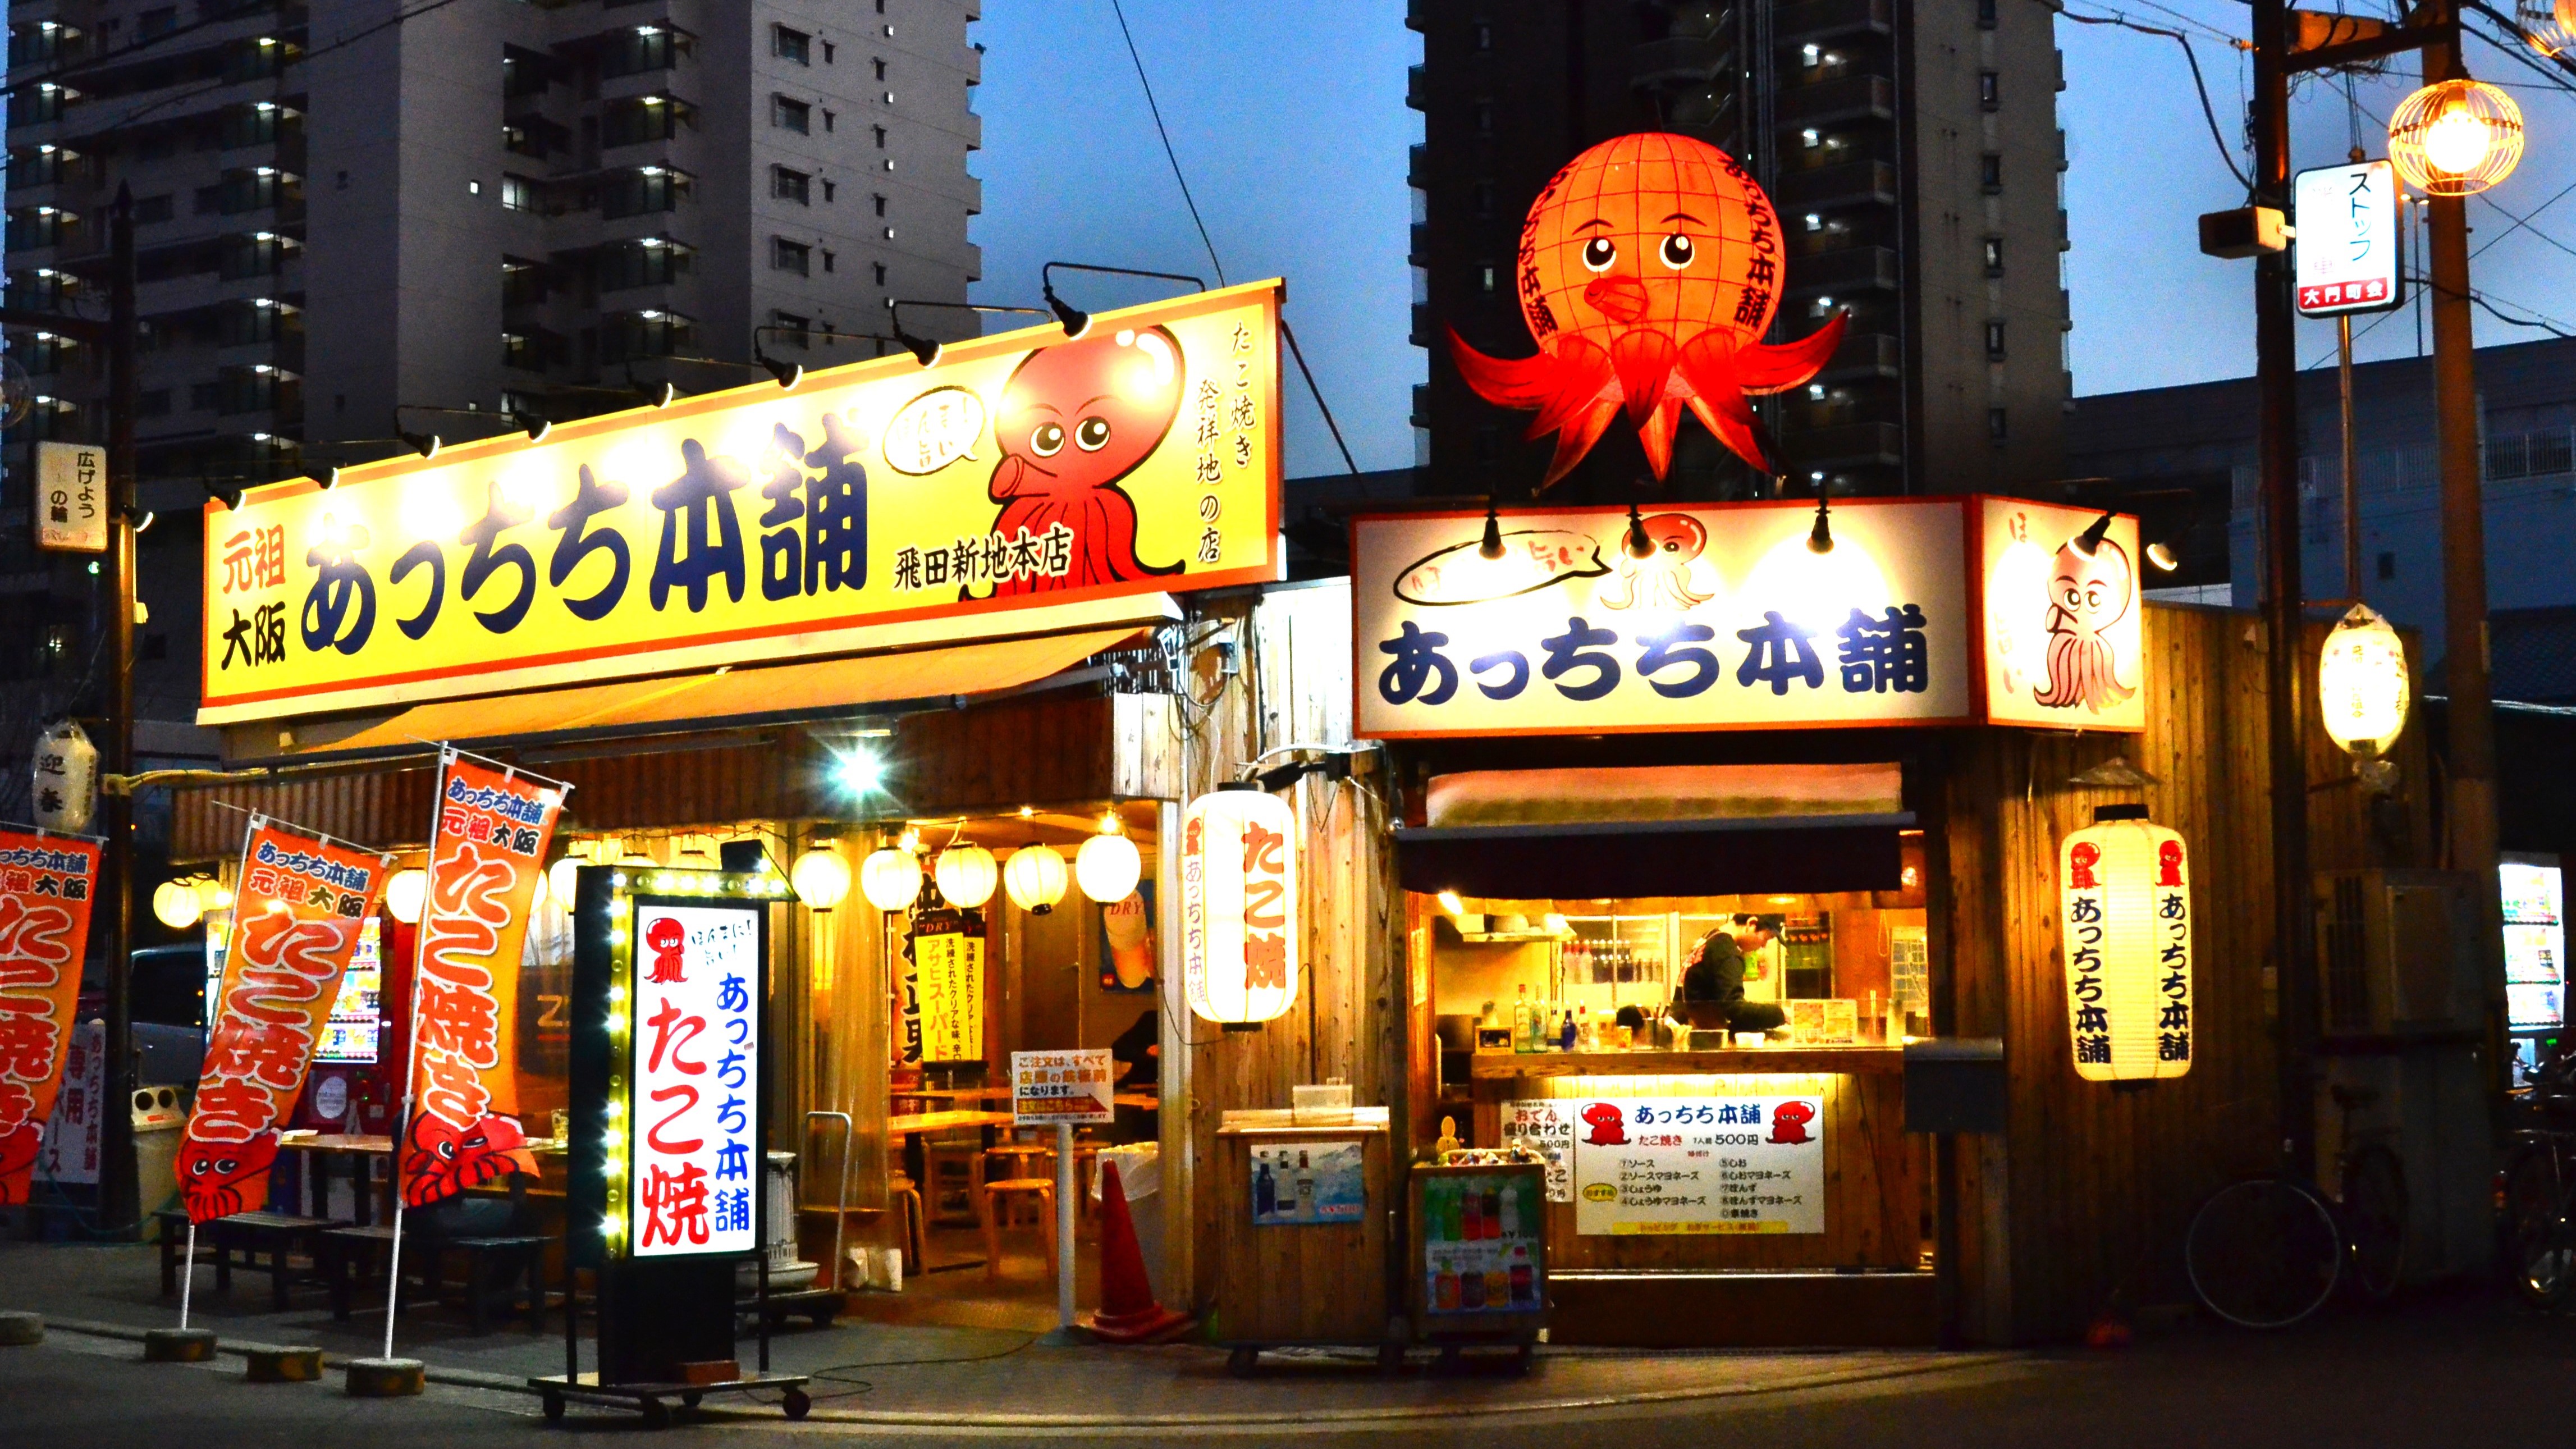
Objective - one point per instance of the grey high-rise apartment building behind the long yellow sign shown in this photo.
(359, 208)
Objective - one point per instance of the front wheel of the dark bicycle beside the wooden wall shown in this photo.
(2263, 1254)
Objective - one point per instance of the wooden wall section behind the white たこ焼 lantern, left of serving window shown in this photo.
(1292, 654)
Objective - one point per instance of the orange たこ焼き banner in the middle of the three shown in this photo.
(295, 924)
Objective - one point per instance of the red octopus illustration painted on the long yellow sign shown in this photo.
(1075, 419)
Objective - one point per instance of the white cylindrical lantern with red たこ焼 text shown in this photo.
(1238, 906)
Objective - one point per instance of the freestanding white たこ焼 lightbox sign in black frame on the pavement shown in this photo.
(668, 1061)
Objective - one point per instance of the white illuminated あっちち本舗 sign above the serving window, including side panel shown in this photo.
(1732, 620)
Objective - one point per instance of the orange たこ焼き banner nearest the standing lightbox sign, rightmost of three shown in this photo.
(488, 850)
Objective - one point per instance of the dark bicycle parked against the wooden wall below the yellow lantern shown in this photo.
(2271, 1252)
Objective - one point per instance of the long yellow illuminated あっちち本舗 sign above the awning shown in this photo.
(877, 504)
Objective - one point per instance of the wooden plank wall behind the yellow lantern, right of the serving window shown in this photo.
(2088, 1198)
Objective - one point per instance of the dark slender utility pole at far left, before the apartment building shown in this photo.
(120, 1198)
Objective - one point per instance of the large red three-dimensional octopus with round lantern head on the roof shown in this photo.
(1650, 272)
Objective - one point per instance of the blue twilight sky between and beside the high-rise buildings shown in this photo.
(1292, 128)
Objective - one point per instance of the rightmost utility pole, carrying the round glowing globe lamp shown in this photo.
(2469, 803)
